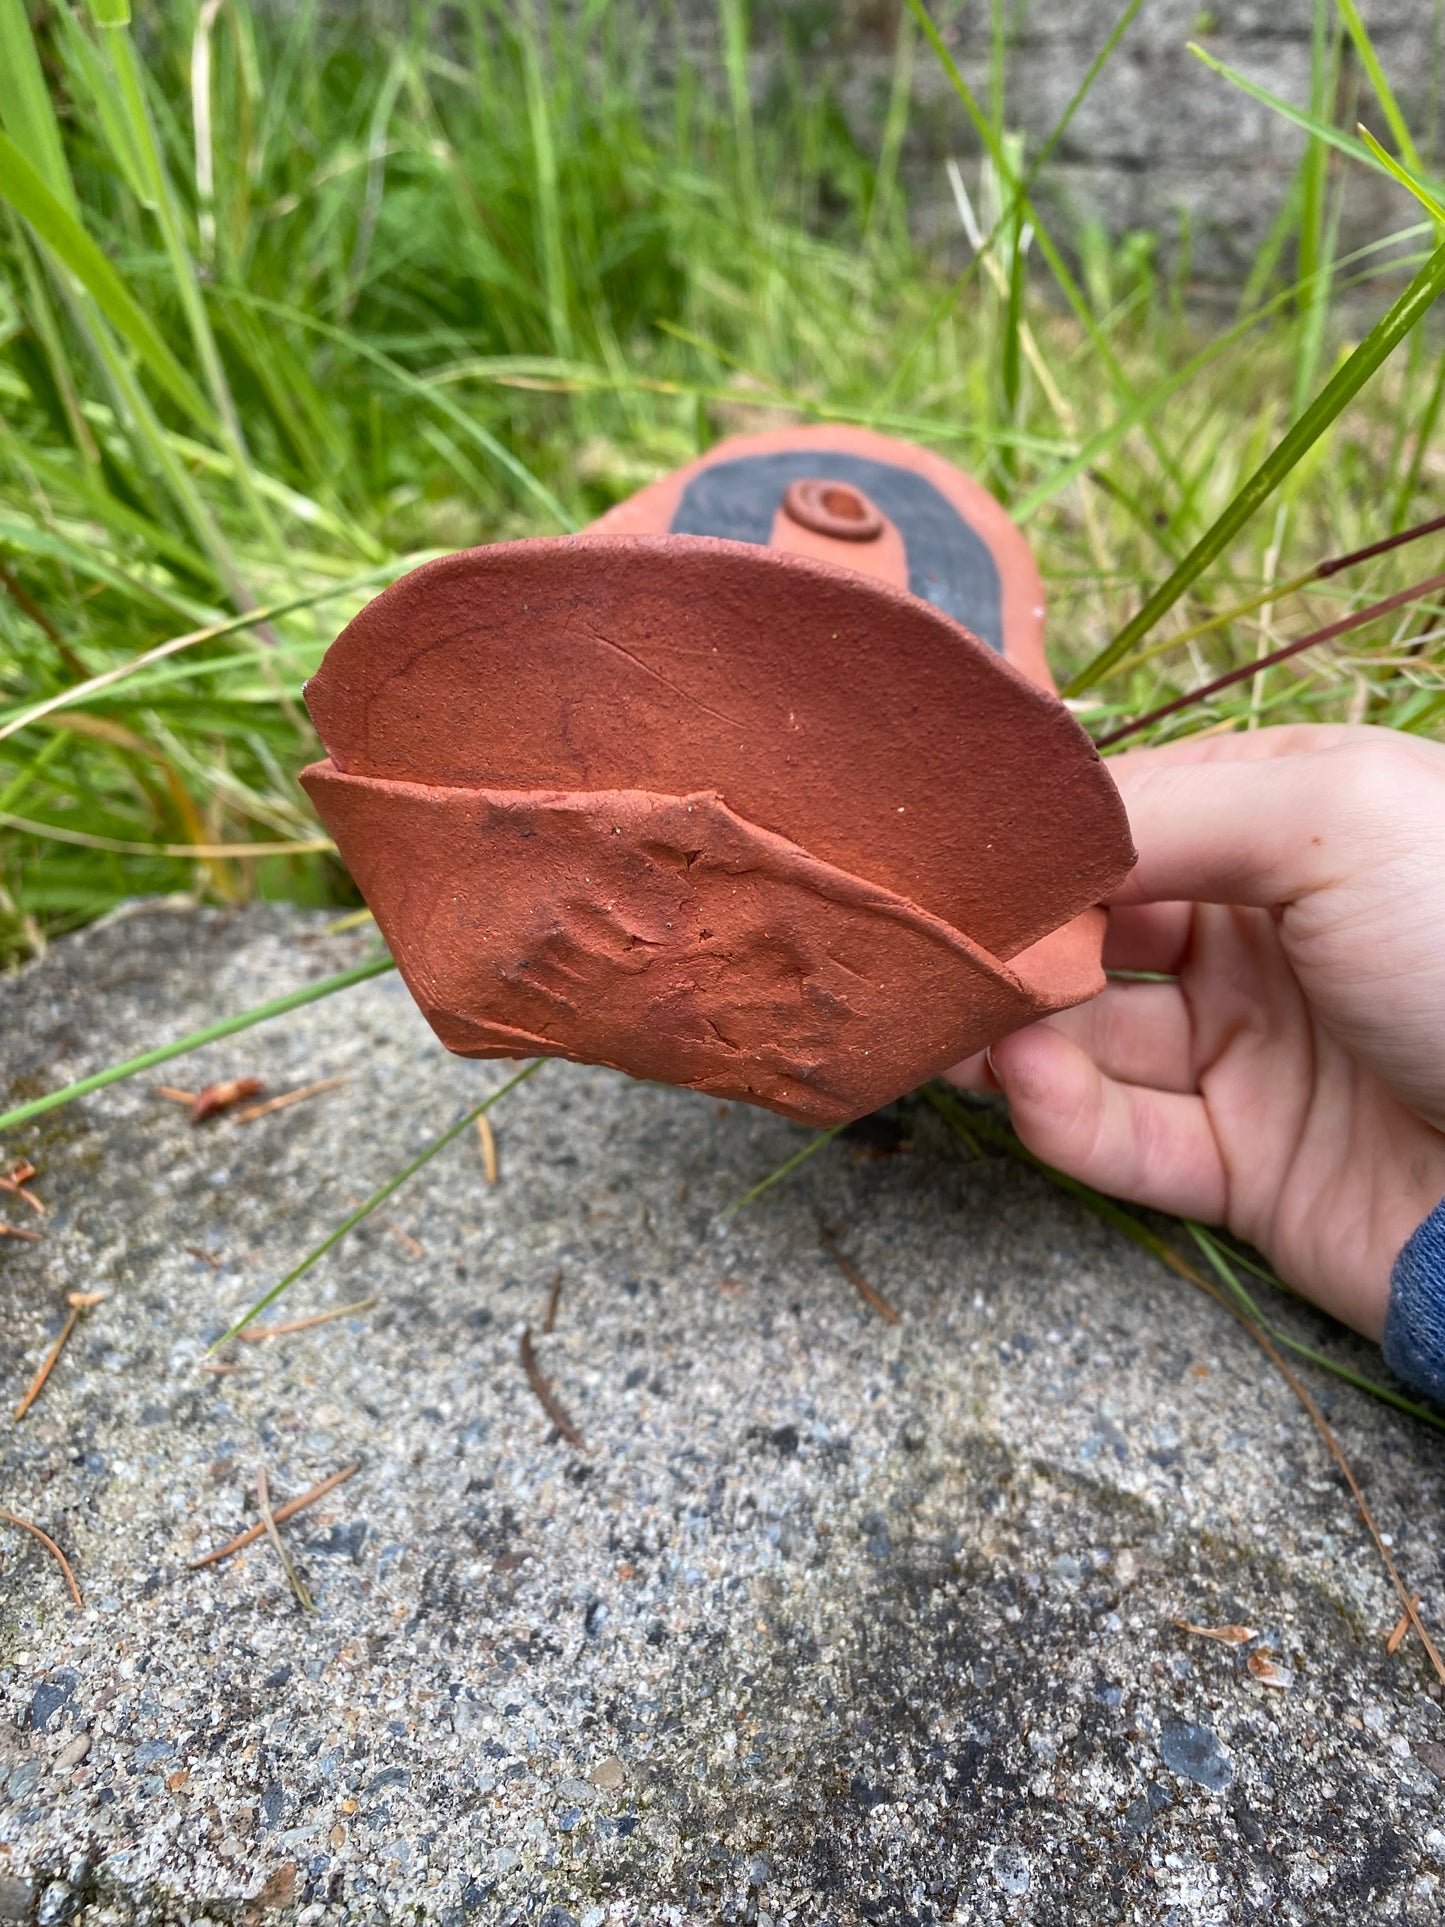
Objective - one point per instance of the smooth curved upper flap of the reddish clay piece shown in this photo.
(883, 737)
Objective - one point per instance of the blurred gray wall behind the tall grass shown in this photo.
(1161, 144)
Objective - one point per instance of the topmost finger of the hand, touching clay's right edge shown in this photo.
(1269, 830)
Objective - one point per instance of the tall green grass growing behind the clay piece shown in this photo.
(286, 307)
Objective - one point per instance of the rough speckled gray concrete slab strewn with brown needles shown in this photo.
(831, 1622)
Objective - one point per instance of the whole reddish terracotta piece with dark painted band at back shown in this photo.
(758, 787)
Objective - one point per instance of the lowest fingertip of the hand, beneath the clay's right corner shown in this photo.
(1153, 1148)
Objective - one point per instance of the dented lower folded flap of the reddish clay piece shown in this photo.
(673, 939)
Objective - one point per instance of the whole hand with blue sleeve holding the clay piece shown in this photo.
(1288, 1082)
